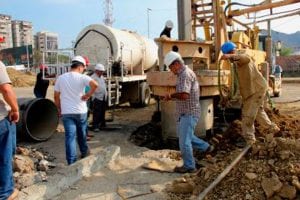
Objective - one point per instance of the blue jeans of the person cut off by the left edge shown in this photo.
(7, 147)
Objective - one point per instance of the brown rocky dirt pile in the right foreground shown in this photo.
(271, 169)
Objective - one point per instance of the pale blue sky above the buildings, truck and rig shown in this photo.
(68, 17)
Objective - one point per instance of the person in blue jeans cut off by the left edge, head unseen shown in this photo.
(8, 118)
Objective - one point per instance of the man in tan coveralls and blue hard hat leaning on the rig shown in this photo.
(253, 88)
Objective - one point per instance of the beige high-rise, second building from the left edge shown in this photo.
(22, 33)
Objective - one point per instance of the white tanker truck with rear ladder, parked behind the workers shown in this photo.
(127, 57)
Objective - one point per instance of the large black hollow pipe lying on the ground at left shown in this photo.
(38, 119)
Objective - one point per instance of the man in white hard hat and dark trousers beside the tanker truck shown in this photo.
(99, 99)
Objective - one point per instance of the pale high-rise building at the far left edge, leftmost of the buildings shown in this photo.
(6, 31)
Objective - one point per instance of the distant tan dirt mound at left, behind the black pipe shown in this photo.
(21, 79)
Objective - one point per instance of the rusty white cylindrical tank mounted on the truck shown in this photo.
(99, 42)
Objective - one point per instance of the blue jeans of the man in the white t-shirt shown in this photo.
(75, 126)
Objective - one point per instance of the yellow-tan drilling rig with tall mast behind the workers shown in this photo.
(217, 79)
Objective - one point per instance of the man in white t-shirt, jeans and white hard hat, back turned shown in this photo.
(70, 99)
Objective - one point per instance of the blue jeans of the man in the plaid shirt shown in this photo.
(188, 141)
